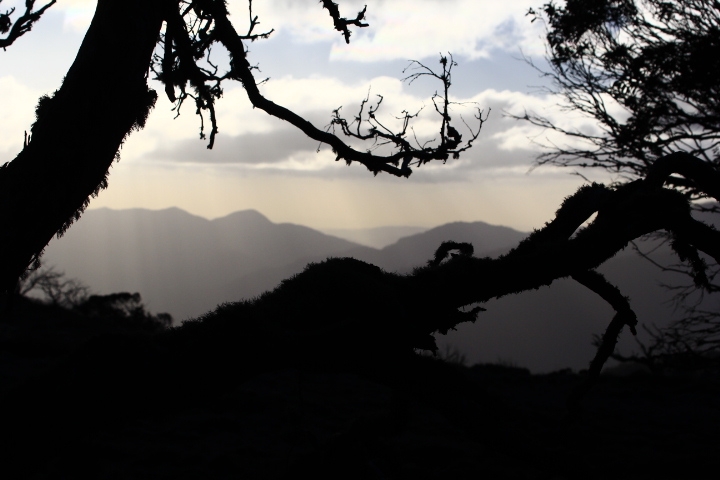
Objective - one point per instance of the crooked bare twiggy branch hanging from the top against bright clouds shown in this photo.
(189, 37)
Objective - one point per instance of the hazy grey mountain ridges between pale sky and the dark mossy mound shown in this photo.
(186, 264)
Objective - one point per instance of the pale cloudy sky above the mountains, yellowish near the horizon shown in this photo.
(262, 163)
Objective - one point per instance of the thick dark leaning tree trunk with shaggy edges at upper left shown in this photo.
(78, 132)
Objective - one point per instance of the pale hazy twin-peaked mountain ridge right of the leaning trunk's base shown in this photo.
(181, 263)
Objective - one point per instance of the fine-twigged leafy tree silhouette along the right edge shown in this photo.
(645, 72)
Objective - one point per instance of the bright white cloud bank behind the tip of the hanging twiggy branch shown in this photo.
(251, 140)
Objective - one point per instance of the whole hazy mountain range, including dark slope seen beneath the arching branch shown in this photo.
(186, 265)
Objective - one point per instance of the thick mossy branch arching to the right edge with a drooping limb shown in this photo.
(564, 248)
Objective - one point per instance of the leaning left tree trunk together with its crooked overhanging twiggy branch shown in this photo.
(104, 97)
